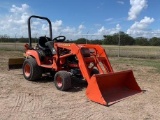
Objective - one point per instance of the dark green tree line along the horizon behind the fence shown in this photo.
(119, 38)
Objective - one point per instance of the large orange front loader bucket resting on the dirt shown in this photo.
(108, 89)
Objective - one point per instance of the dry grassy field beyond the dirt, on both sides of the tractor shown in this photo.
(128, 54)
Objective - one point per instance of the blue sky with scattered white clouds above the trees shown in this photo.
(81, 18)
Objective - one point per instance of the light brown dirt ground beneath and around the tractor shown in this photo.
(24, 100)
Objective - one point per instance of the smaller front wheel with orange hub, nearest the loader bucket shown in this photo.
(62, 80)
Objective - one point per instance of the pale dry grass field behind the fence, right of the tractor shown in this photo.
(148, 52)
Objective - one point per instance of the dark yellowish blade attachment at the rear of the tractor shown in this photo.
(15, 63)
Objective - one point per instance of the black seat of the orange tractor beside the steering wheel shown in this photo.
(42, 40)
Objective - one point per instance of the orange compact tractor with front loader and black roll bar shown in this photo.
(87, 61)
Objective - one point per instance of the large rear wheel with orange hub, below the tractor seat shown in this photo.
(31, 70)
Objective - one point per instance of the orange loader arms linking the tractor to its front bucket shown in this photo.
(86, 54)
